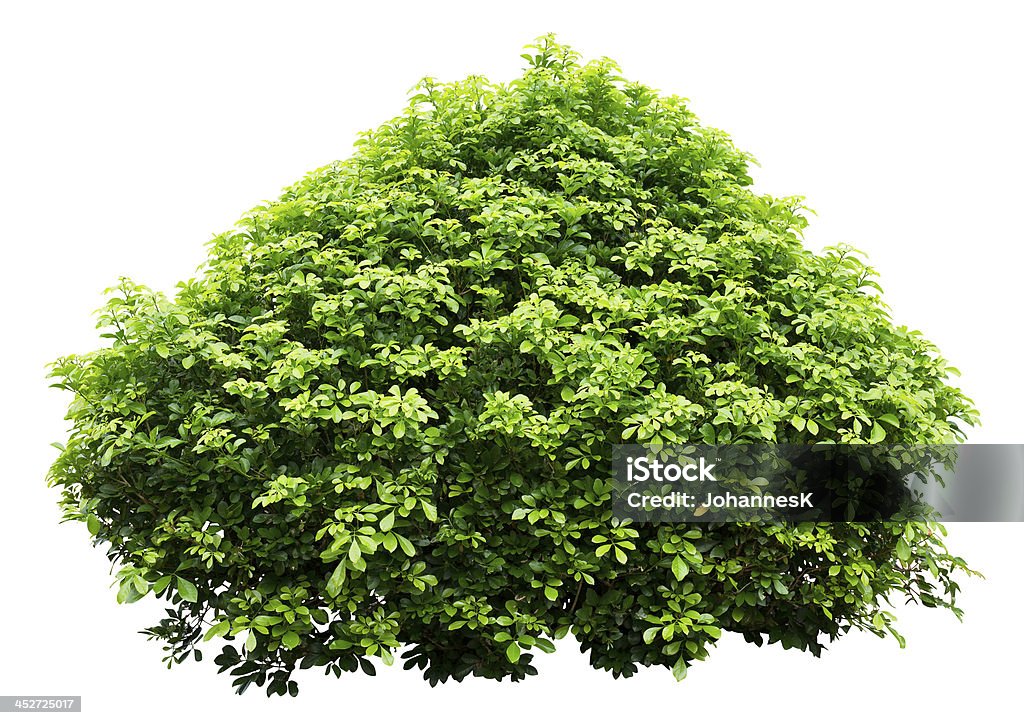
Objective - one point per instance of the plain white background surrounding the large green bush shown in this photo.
(133, 134)
